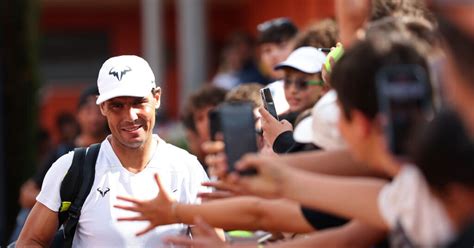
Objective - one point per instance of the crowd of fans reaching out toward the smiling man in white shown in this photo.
(327, 172)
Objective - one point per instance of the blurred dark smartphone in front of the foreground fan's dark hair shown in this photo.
(404, 99)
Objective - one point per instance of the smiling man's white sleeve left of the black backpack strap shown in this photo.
(49, 194)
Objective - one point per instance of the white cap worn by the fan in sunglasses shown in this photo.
(306, 59)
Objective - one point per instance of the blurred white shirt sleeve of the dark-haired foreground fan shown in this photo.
(408, 202)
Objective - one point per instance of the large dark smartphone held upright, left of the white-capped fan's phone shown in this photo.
(238, 128)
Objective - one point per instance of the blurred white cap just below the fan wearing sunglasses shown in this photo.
(320, 128)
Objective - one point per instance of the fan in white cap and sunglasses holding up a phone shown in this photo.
(303, 86)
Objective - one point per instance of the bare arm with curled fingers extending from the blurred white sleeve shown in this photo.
(352, 198)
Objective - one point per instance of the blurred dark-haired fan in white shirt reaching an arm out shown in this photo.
(405, 205)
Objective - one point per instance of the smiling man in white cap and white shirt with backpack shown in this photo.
(127, 162)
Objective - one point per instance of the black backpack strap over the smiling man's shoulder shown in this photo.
(74, 190)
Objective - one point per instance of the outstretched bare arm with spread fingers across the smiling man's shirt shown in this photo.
(244, 212)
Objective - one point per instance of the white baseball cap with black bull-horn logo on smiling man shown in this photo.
(126, 75)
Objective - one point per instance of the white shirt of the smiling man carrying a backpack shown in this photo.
(179, 171)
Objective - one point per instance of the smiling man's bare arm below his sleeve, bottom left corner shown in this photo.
(39, 228)
